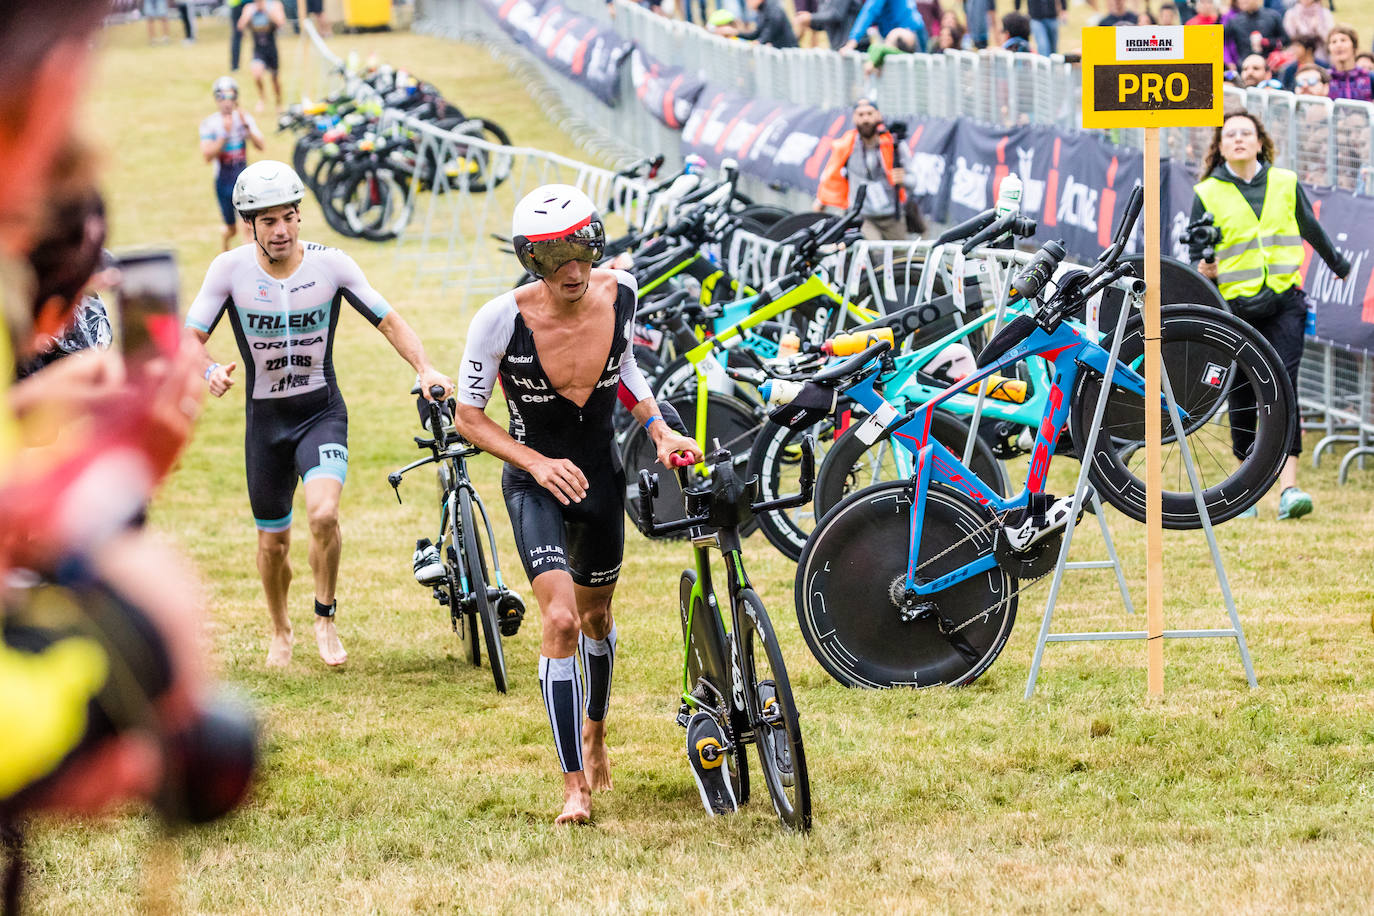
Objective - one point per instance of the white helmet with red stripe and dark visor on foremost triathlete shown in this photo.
(553, 226)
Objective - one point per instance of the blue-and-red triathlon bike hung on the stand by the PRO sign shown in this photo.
(914, 583)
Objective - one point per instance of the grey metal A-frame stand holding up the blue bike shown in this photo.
(1046, 635)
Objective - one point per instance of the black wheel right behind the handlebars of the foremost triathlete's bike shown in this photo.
(729, 421)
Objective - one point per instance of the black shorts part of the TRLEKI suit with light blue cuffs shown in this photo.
(288, 440)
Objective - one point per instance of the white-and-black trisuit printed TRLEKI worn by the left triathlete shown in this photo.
(297, 424)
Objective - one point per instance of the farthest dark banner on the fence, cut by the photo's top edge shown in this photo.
(581, 49)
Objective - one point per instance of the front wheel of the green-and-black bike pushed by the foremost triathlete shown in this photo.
(773, 715)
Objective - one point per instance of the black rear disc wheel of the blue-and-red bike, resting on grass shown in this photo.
(851, 591)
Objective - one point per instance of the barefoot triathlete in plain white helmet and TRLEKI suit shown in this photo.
(284, 299)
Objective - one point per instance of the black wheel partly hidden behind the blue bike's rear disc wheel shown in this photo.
(853, 465)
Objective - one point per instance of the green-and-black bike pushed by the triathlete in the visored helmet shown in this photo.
(736, 689)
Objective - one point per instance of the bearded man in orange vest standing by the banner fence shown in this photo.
(868, 154)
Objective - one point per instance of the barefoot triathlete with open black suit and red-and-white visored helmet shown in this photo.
(563, 350)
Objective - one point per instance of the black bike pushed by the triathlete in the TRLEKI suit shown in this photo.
(482, 608)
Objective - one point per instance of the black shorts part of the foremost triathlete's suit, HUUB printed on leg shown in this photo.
(587, 539)
